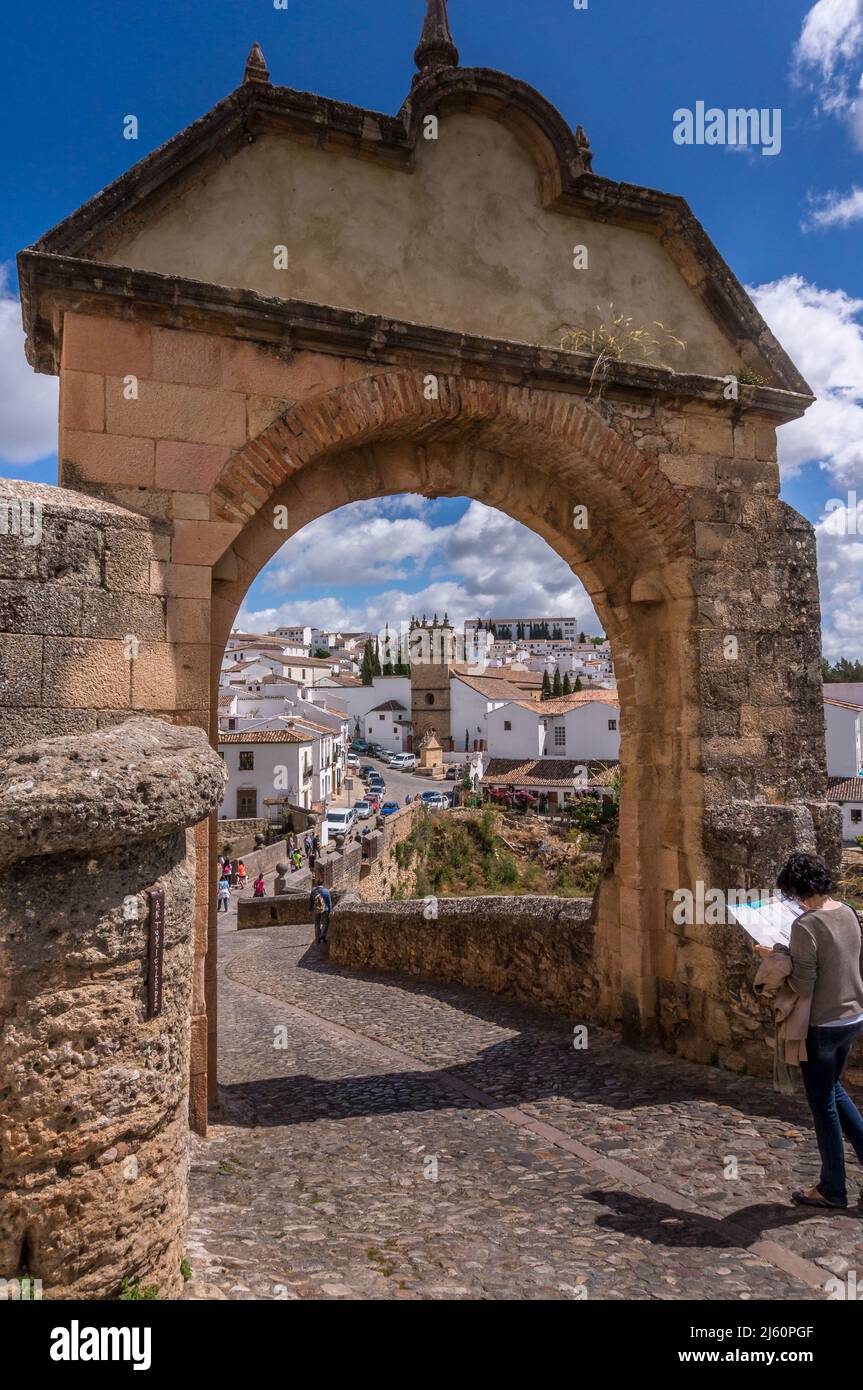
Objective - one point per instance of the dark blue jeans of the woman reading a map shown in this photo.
(836, 1115)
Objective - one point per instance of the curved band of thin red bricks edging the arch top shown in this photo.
(394, 404)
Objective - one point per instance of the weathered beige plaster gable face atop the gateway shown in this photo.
(463, 243)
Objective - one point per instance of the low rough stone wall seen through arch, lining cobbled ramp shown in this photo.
(536, 950)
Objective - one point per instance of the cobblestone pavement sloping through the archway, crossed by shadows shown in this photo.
(384, 1138)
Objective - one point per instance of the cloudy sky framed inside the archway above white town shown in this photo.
(482, 564)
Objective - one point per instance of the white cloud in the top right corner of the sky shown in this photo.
(829, 56)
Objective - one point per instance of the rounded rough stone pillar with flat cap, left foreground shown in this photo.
(95, 1093)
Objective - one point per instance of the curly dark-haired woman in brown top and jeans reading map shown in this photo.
(826, 975)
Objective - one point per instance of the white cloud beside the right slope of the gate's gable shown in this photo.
(823, 334)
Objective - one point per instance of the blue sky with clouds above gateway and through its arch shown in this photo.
(790, 226)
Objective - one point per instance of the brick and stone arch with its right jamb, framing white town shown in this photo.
(533, 455)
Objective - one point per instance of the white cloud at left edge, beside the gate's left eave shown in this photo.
(28, 401)
